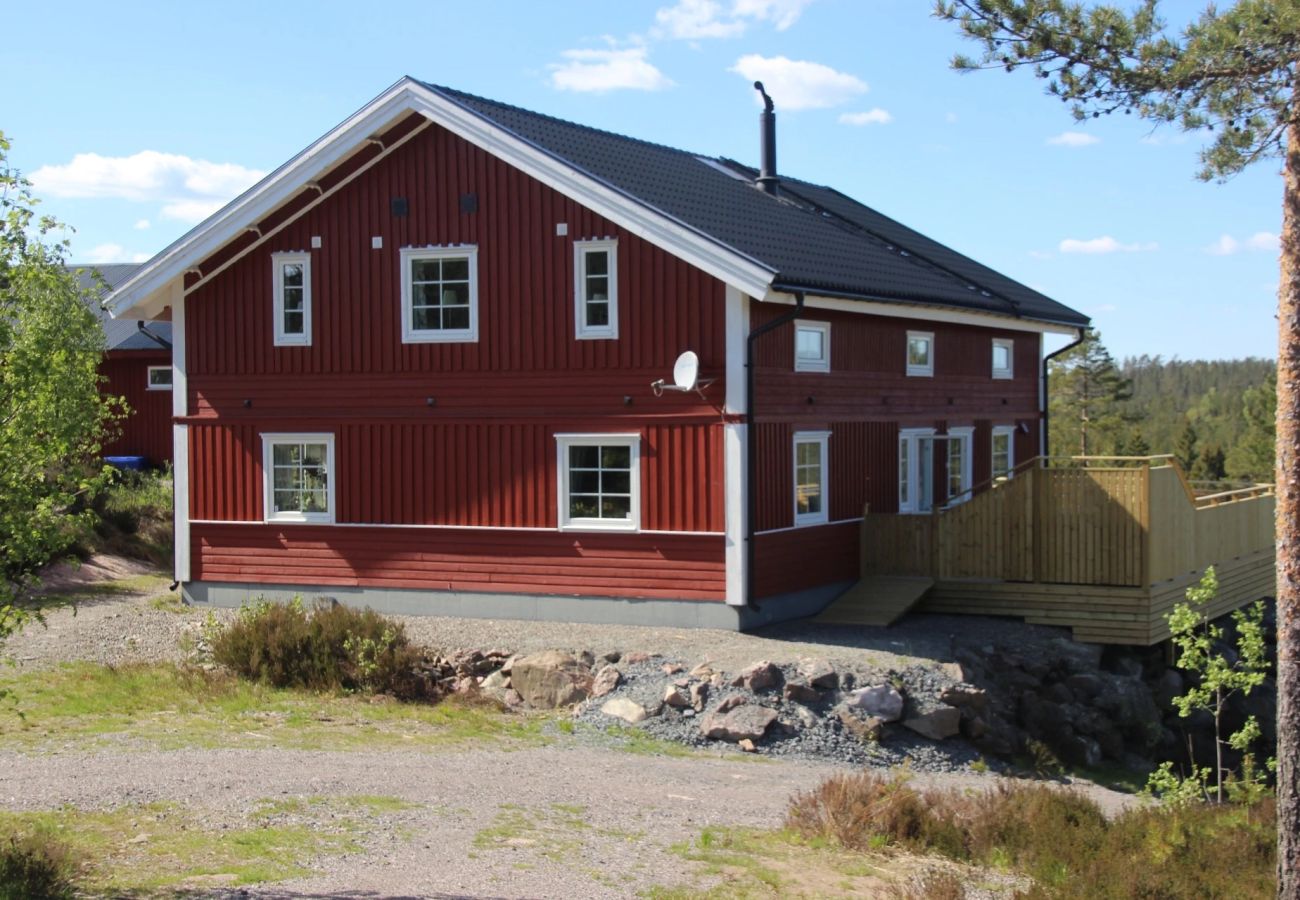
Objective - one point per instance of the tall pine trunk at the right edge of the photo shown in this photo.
(1289, 530)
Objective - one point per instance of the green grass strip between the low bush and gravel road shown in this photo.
(171, 708)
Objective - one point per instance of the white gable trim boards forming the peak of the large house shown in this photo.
(148, 289)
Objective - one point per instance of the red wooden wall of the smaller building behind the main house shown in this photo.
(148, 431)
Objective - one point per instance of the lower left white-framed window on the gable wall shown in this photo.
(298, 478)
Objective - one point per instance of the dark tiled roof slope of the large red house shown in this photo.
(813, 237)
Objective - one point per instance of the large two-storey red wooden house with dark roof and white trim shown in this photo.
(414, 370)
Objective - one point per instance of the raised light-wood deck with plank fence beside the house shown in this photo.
(1104, 548)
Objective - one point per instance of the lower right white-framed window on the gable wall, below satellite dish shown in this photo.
(600, 482)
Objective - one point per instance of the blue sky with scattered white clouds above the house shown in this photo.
(137, 120)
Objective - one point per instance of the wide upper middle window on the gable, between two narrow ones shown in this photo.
(440, 295)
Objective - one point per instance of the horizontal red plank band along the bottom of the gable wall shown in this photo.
(635, 566)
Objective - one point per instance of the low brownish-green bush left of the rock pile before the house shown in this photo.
(330, 648)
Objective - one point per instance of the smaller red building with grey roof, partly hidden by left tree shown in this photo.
(137, 367)
